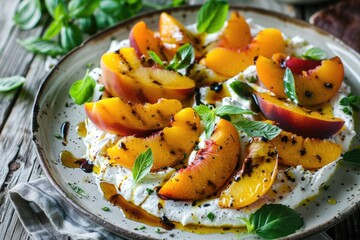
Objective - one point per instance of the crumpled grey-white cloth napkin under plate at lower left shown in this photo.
(46, 215)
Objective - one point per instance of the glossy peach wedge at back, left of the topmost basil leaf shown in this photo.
(173, 35)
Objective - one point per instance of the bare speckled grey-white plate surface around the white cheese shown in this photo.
(53, 106)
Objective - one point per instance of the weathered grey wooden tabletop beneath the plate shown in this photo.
(17, 155)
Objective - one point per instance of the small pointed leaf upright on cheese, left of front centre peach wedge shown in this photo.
(142, 165)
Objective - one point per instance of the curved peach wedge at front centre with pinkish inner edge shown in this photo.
(211, 168)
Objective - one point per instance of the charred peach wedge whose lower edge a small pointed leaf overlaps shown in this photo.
(169, 146)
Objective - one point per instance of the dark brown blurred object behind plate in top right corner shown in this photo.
(341, 20)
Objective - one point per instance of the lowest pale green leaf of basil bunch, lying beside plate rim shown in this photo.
(42, 46)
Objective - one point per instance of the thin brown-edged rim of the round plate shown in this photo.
(44, 163)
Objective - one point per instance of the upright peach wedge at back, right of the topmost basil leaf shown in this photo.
(236, 34)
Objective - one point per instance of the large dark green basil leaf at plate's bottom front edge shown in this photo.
(274, 221)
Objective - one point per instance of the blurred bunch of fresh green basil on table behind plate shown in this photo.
(73, 20)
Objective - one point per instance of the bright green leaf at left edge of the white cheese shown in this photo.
(82, 90)
